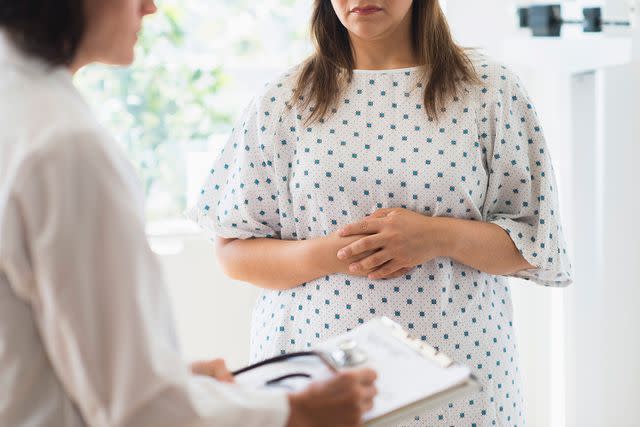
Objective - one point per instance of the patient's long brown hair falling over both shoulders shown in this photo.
(322, 77)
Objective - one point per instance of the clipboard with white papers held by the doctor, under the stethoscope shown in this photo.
(413, 377)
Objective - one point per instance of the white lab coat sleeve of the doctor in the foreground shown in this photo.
(100, 301)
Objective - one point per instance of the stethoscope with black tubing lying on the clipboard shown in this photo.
(348, 355)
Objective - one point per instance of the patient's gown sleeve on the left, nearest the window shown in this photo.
(240, 195)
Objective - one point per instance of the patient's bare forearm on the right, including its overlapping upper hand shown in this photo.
(404, 239)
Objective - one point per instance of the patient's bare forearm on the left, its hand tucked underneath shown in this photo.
(284, 264)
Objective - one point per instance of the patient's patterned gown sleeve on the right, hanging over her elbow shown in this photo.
(522, 196)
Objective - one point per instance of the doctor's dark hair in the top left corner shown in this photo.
(48, 29)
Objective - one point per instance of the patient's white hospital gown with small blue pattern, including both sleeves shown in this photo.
(484, 158)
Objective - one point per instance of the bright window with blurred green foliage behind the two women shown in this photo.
(198, 63)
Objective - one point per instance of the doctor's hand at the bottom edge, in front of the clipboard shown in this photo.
(339, 402)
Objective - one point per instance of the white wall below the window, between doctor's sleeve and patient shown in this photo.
(213, 312)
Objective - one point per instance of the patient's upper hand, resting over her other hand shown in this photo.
(401, 238)
